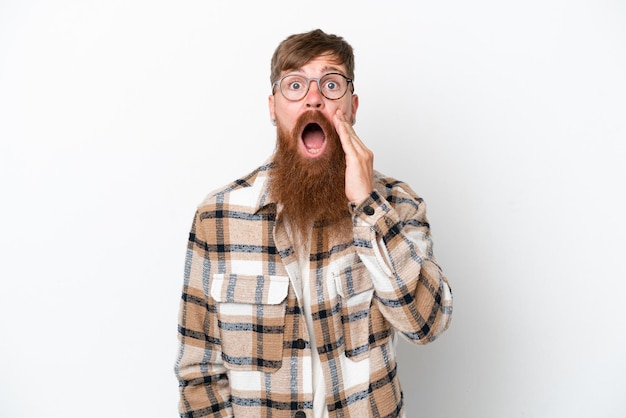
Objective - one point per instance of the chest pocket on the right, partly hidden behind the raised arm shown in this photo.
(356, 290)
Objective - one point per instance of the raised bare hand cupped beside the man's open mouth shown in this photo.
(359, 160)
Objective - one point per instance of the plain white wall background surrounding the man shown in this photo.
(509, 118)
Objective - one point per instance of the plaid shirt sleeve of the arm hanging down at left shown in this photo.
(203, 383)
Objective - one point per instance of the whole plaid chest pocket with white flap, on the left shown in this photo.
(251, 319)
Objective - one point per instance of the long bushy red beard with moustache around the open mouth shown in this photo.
(311, 190)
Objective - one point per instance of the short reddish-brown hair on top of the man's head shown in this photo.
(297, 50)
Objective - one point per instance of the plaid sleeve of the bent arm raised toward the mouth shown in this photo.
(393, 240)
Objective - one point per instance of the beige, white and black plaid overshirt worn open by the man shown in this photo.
(244, 342)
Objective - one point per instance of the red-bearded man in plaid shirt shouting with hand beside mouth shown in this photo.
(299, 275)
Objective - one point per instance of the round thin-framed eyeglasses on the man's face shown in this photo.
(294, 87)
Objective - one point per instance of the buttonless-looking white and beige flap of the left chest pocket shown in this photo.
(243, 288)
